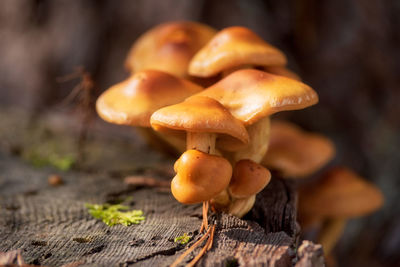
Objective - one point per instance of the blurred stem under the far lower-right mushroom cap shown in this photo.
(330, 233)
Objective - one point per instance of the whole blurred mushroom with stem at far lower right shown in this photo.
(339, 195)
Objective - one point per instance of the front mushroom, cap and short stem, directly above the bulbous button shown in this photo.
(205, 122)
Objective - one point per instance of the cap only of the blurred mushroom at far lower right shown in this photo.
(340, 193)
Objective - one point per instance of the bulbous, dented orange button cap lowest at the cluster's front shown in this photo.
(200, 176)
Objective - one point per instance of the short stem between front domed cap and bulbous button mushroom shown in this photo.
(204, 142)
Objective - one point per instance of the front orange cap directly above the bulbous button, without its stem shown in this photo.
(202, 115)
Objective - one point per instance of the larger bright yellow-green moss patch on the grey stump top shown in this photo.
(115, 214)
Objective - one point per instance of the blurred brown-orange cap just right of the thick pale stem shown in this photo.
(296, 153)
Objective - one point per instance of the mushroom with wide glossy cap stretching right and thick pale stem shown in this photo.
(252, 96)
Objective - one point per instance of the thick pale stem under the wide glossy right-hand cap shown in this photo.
(259, 133)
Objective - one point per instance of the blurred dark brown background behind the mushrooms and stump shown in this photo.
(348, 51)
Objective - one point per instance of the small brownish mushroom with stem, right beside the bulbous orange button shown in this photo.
(248, 179)
